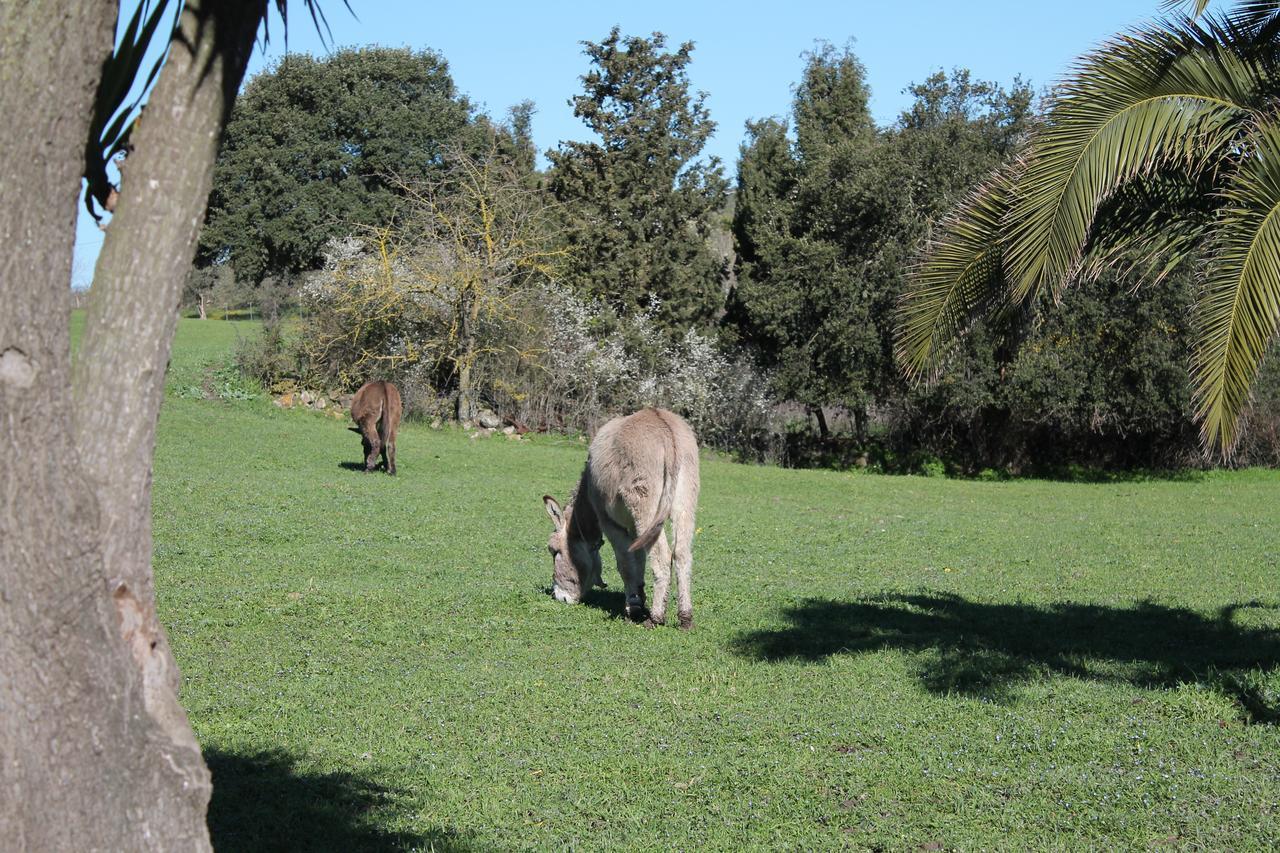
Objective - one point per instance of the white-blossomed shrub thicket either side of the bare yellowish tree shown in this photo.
(554, 362)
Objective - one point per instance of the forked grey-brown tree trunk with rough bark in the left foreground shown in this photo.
(95, 751)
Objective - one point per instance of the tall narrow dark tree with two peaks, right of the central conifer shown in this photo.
(797, 300)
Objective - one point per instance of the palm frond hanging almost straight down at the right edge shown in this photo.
(1240, 311)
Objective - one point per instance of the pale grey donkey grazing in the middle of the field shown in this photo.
(641, 471)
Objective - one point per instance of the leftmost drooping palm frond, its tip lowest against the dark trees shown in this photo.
(958, 277)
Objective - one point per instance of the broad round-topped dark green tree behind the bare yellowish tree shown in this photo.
(317, 147)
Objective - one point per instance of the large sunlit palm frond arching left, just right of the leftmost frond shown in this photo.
(1145, 102)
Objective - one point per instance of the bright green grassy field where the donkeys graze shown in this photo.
(880, 663)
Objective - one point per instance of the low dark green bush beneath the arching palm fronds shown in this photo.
(1099, 380)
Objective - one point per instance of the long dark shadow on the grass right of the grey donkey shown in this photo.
(984, 649)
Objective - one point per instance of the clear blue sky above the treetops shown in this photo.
(747, 57)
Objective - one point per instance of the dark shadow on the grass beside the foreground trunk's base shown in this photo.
(263, 802)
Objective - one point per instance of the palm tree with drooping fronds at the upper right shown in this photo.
(1163, 145)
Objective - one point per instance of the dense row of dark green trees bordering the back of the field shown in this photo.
(828, 220)
